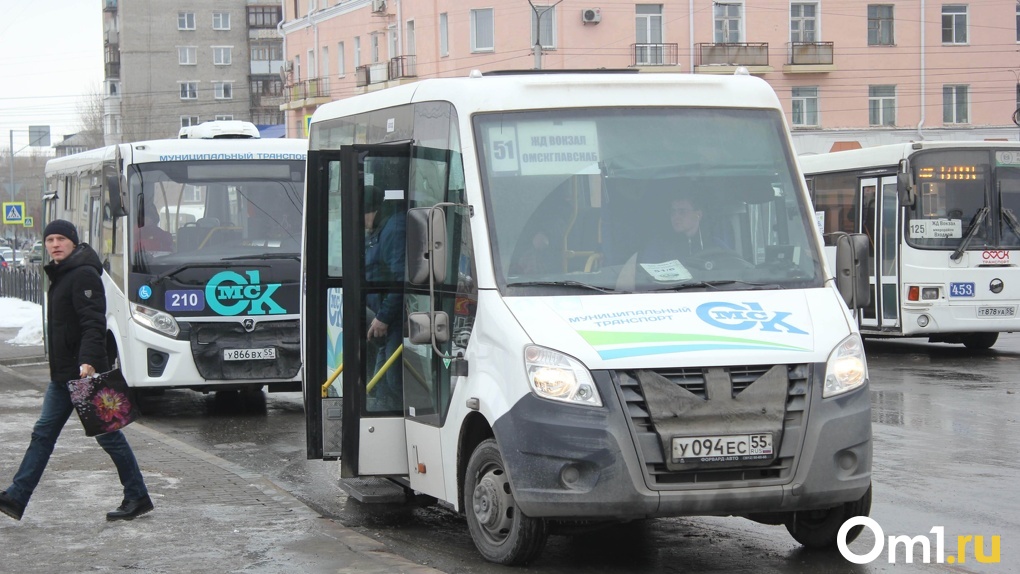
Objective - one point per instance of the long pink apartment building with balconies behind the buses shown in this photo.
(849, 73)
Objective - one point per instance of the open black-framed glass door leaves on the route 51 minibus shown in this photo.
(350, 276)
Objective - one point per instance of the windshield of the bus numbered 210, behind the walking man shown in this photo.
(211, 212)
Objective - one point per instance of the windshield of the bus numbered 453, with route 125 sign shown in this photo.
(966, 199)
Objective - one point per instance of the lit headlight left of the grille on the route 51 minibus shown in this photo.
(559, 378)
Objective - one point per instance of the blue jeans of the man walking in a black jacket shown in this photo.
(57, 409)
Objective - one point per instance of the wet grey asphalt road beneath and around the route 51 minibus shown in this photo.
(946, 428)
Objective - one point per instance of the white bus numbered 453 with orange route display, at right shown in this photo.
(943, 230)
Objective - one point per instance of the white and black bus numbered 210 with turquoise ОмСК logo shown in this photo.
(201, 242)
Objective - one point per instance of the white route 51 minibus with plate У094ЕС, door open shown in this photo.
(545, 372)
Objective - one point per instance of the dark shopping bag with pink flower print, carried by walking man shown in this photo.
(104, 402)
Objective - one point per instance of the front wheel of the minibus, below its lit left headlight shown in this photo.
(501, 533)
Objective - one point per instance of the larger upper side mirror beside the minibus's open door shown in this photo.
(426, 245)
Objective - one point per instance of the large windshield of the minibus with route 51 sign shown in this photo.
(644, 199)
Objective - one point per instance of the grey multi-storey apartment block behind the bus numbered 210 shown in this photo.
(176, 64)
